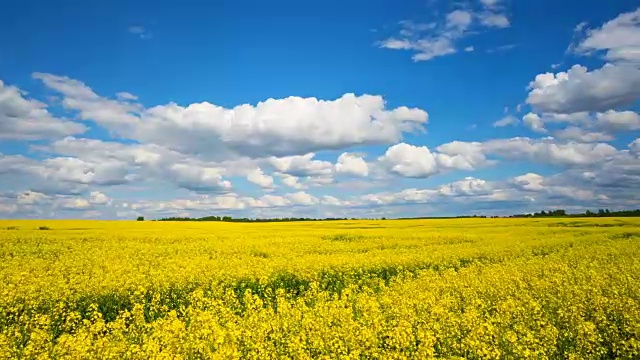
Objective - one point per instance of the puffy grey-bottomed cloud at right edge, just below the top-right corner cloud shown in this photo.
(579, 90)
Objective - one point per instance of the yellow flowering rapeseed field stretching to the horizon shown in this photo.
(472, 288)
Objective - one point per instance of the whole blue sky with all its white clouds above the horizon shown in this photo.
(377, 108)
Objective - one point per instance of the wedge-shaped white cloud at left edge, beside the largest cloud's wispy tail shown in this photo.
(28, 119)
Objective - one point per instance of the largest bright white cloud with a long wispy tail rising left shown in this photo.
(277, 127)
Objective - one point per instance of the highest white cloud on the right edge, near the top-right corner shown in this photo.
(618, 38)
